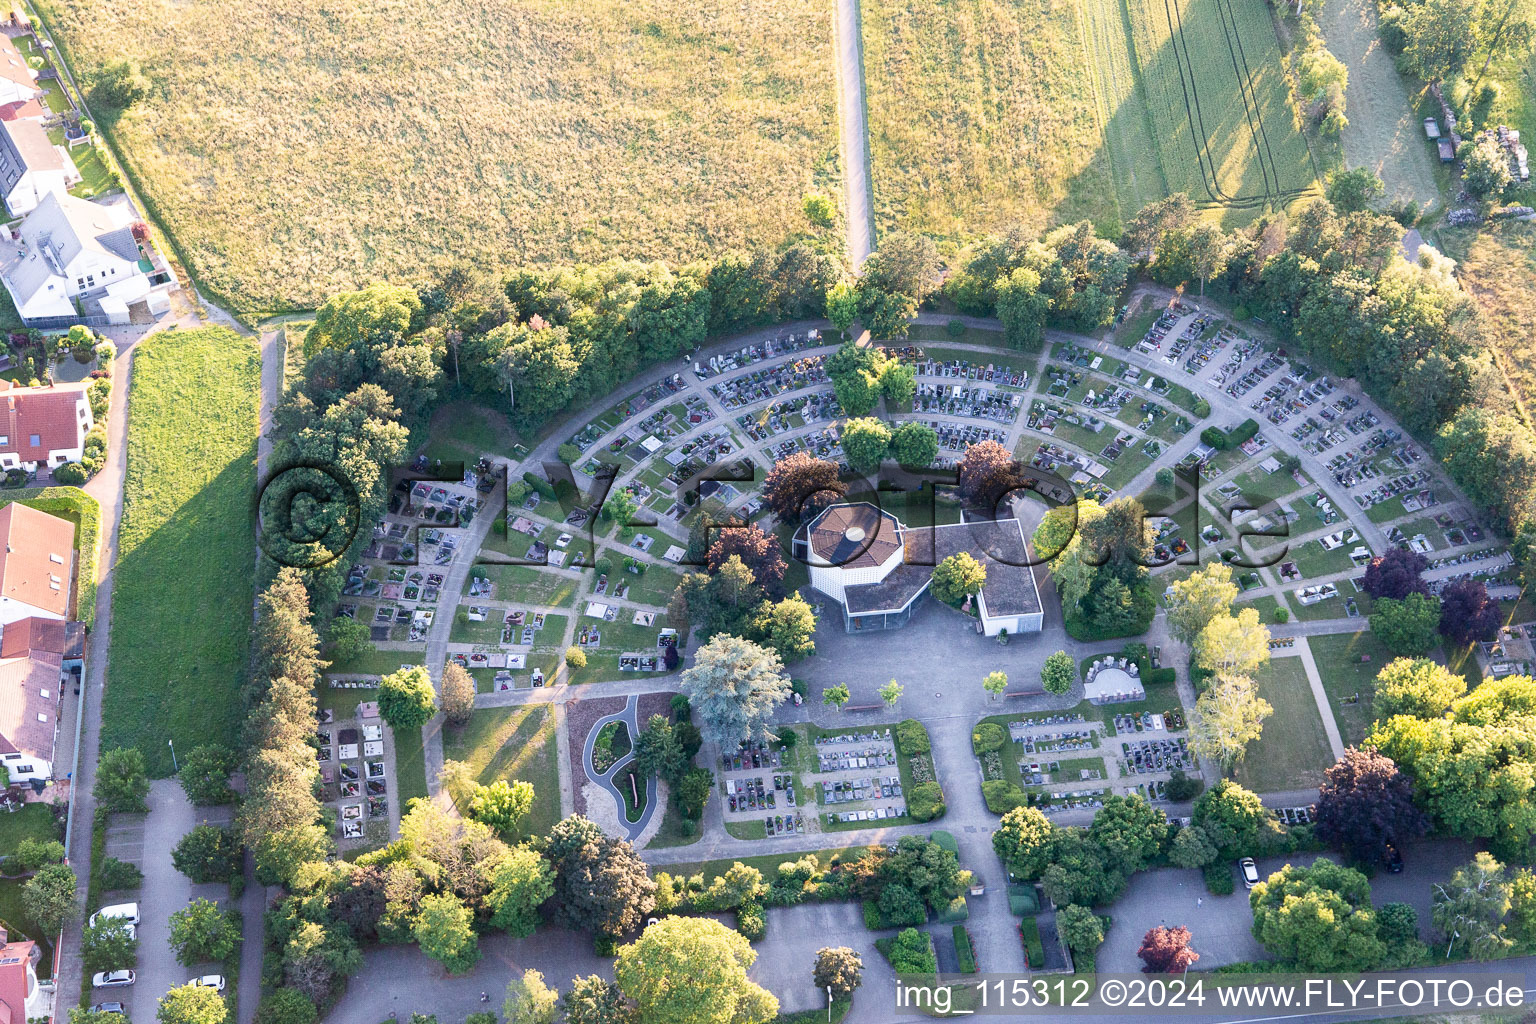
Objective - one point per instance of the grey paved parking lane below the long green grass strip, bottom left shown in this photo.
(165, 891)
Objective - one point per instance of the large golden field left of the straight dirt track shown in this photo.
(310, 150)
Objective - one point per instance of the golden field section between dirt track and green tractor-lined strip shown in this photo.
(981, 117)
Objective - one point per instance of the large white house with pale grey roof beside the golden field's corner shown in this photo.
(68, 251)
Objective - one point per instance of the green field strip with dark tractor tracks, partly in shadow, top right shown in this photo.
(1219, 102)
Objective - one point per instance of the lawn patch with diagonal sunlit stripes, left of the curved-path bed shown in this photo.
(512, 744)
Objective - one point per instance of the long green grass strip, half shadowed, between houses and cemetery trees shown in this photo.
(187, 547)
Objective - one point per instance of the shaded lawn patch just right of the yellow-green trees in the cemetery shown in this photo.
(1294, 751)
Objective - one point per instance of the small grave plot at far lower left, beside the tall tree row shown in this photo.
(354, 770)
